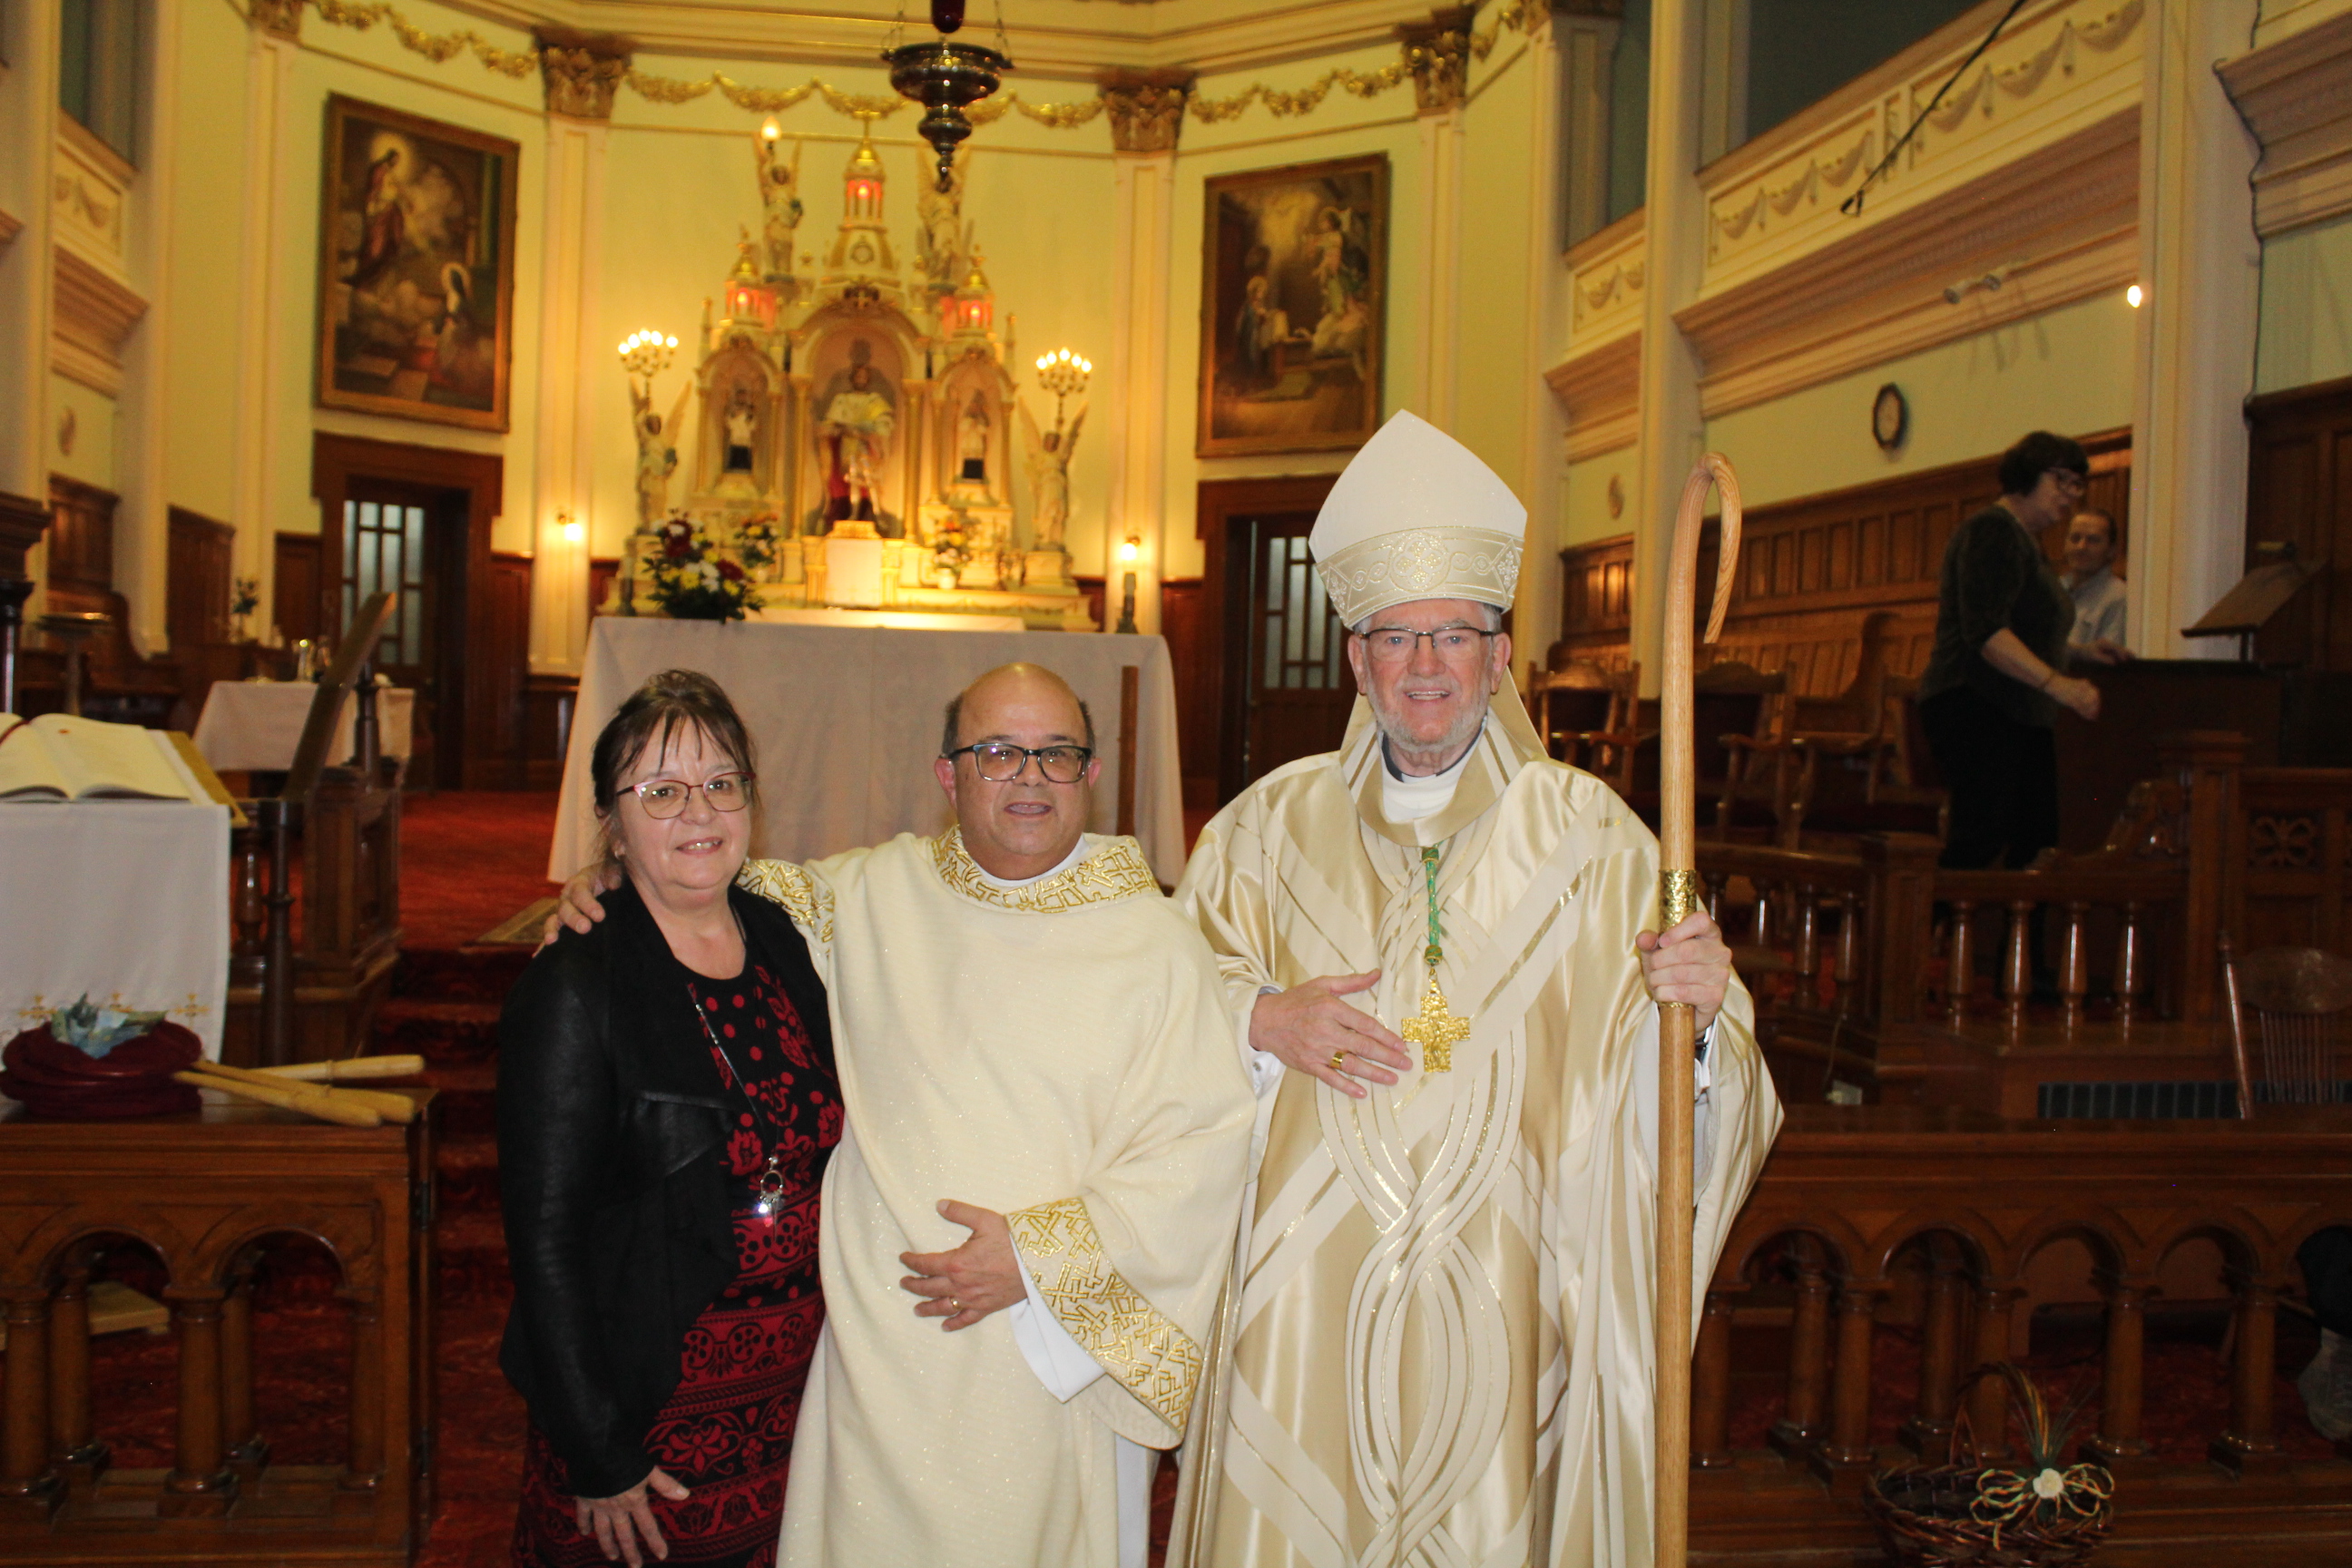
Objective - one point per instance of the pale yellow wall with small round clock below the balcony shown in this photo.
(2064, 370)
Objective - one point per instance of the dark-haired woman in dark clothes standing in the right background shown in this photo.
(1998, 676)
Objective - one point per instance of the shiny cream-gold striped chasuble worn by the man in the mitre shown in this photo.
(1441, 1322)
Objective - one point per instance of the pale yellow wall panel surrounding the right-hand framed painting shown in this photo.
(1257, 140)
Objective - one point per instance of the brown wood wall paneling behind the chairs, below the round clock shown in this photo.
(1815, 570)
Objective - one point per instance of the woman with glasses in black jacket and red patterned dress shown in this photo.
(667, 1106)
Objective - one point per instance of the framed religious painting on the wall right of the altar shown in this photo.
(1295, 307)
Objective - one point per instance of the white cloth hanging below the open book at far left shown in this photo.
(121, 899)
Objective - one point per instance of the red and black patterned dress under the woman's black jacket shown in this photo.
(728, 1430)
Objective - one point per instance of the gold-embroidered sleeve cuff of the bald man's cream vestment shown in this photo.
(1147, 1353)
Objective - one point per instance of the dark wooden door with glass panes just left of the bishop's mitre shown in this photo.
(1297, 688)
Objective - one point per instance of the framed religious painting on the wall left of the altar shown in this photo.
(417, 267)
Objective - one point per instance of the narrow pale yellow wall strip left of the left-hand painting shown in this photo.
(201, 304)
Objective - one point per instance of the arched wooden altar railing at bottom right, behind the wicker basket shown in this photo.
(1946, 1212)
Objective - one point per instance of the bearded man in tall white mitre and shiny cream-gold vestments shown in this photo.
(1443, 967)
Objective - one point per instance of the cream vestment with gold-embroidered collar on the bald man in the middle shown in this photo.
(1062, 1054)
